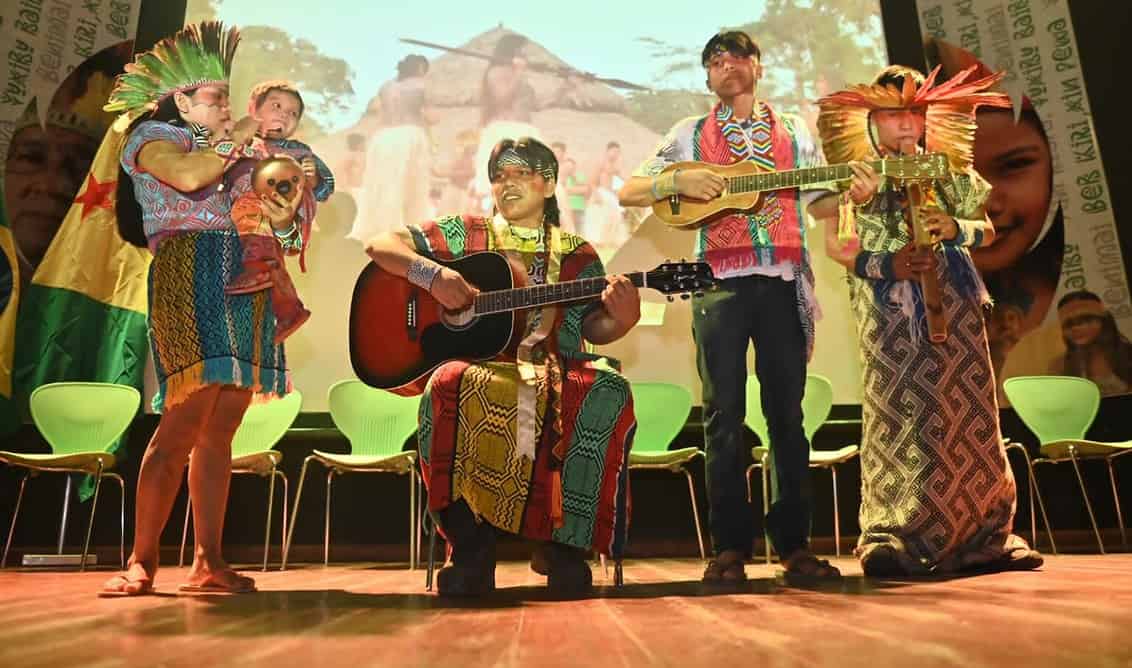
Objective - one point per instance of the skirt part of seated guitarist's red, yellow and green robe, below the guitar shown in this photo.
(468, 452)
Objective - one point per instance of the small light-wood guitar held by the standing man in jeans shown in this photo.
(748, 185)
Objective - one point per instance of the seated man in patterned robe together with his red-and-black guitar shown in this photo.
(538, 447)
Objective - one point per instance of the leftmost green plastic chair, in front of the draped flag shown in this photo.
(81, 422)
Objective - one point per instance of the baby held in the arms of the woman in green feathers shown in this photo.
(278, 106)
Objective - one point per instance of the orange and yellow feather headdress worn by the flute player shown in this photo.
(949, 116)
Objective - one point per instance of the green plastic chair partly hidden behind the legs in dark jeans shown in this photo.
(817, 405)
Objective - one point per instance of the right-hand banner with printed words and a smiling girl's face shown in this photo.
(1057, 273)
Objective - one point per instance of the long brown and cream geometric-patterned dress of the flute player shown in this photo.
(936, 483)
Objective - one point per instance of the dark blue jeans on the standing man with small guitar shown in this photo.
(762, 311)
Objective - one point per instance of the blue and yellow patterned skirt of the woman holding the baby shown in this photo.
(200, 335)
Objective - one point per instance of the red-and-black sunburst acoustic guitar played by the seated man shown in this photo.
(399, 333)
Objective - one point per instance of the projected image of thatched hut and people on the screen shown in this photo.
(405, 102)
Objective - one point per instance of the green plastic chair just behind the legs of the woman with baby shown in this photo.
(263, 426)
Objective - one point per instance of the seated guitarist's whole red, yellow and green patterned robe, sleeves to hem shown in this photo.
(469, 412)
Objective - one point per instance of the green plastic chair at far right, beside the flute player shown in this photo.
(1060, 410)
